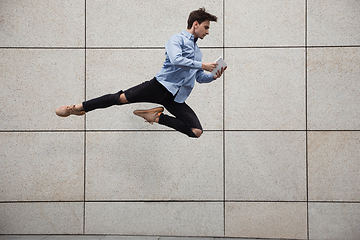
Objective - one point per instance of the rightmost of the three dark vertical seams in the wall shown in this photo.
(306, 125)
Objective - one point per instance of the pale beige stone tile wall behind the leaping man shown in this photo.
(279, 157)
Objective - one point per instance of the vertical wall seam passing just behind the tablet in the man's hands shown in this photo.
(223, 130)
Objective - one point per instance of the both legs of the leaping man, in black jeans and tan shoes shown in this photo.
(185, 120)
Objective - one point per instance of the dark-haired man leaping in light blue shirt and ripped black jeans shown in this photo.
(172, 84)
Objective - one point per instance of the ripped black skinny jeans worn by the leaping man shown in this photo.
(153, 92)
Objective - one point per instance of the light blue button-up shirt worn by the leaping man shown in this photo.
(182, 66)
